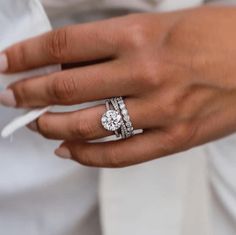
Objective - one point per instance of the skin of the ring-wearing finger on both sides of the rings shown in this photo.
(86, 124)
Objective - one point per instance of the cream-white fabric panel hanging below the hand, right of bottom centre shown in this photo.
(166, 196)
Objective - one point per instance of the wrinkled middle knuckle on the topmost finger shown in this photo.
(56, 44)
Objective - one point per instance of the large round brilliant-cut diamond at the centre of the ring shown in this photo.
(111, 120)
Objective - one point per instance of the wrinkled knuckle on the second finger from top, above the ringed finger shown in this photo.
(64, 88)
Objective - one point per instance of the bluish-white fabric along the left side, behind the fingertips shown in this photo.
(39, 193)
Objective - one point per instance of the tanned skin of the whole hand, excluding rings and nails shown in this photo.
(177, 72)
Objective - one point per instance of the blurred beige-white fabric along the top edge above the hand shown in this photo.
(85, 10)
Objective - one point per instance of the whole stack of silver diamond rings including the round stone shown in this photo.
(117, 119)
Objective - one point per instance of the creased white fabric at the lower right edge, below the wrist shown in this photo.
(221, 175)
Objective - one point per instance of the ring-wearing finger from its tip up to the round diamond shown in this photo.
(84, 124)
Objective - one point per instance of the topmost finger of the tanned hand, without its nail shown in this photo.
(76, 43)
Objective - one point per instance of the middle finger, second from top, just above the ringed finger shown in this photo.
(73, 86)
